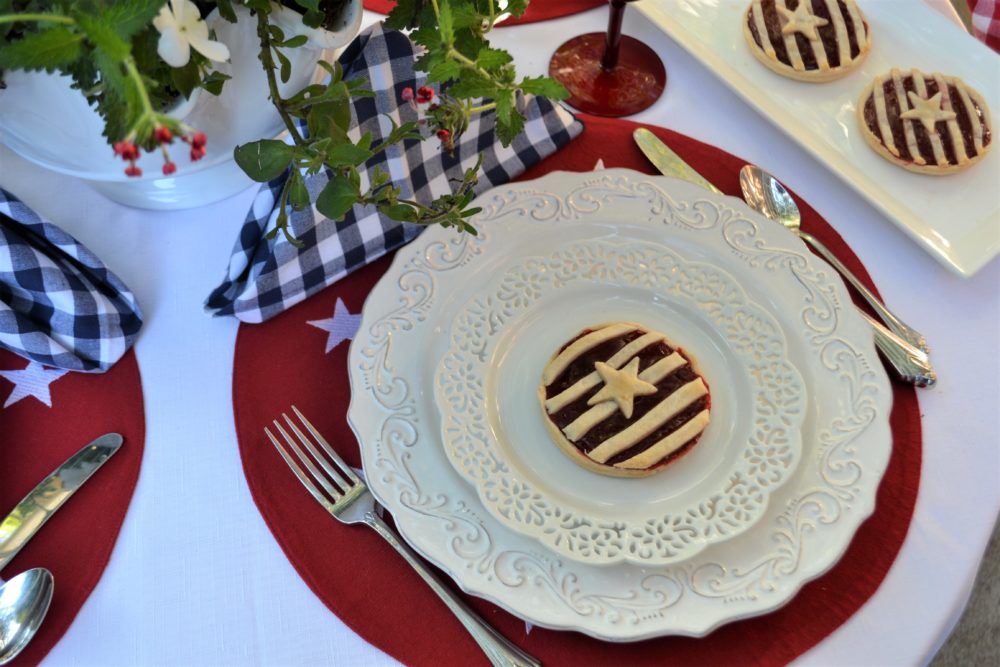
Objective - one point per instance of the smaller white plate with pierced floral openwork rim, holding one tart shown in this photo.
(492, 424)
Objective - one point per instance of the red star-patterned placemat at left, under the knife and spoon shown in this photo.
(76, 543)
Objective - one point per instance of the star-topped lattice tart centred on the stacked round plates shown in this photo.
(622, 400)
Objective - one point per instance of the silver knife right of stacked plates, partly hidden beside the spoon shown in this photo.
(911, 364)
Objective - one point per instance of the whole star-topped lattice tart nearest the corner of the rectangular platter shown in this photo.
(927, 123)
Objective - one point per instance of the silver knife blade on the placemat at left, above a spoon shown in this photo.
(41, 503)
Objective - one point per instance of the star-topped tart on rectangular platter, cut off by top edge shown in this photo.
(807, 40)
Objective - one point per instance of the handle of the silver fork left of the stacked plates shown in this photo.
(498, 649)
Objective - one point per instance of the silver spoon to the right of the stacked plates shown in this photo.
(768, 196)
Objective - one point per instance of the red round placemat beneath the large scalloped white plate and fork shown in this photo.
(289, 360)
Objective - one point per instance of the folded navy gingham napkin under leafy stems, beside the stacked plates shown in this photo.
(266, 277)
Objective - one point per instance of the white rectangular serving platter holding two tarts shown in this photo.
(953, 217)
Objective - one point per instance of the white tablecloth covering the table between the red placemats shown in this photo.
(196, 577)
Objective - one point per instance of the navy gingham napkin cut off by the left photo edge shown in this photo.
(59, 305)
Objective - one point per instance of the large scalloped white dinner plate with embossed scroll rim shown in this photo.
(809, 521)
